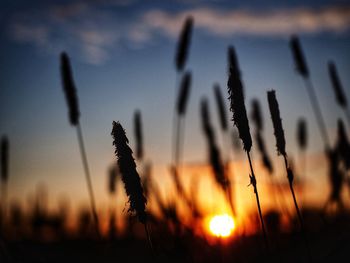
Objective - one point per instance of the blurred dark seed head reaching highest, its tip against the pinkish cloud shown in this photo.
(183, 44)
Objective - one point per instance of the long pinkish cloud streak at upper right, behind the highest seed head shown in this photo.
(268, 23)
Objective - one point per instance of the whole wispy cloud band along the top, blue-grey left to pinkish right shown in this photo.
(93, 29)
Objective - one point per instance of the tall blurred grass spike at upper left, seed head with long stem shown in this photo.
(74, 114)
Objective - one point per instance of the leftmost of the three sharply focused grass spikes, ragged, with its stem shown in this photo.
(130, 176)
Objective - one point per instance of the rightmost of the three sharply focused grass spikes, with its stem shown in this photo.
(281, 150)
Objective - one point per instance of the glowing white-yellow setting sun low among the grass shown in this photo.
(222, 225)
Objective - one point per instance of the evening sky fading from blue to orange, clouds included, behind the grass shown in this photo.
(122, 55)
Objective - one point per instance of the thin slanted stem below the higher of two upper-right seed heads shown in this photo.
(317, 110)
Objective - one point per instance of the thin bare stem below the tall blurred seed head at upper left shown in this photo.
(88, 178)
